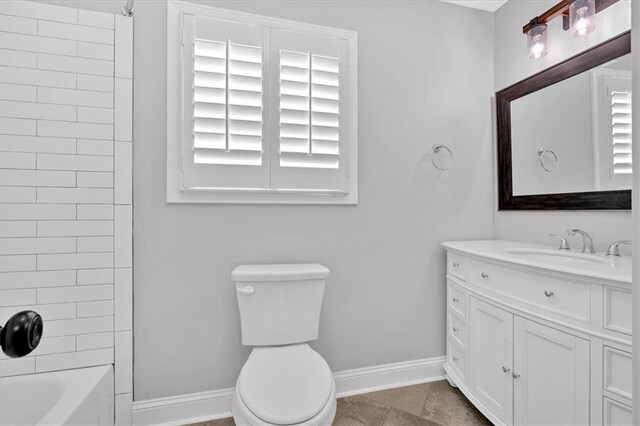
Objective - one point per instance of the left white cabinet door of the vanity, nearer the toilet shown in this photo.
(490, 358)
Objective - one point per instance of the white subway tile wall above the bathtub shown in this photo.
(65, 186)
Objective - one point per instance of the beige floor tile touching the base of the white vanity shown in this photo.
(446, 405)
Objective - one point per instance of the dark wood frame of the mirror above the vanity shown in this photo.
(596, 200)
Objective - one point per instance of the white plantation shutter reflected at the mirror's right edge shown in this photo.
(621, 131)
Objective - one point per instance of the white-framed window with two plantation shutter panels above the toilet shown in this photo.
(260, 110)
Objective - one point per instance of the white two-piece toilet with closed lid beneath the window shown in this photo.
(284, 381)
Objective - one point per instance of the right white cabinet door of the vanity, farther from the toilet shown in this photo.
(551, 376)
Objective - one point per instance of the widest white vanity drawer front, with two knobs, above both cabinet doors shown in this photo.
(563, 298)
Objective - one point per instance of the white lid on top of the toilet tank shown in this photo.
(289, 272)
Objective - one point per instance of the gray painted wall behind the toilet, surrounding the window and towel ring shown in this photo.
(425, 76)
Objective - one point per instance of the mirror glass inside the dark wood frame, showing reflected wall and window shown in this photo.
(575, 135)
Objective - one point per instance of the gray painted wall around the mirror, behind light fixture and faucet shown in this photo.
(512, 65)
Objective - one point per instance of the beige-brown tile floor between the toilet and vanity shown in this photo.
(431, 404)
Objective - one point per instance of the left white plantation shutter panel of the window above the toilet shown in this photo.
(223, 94)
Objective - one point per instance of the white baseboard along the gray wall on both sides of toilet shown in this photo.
(203, 406)
